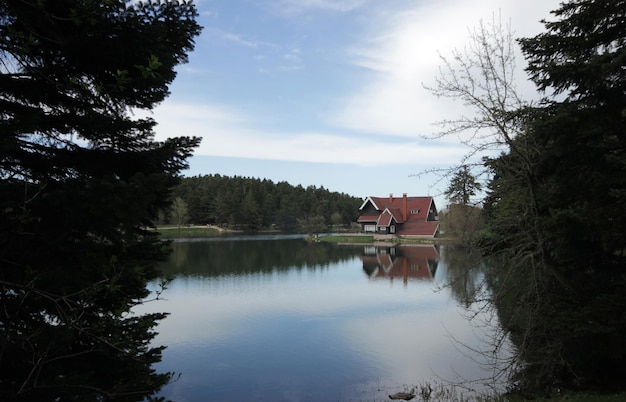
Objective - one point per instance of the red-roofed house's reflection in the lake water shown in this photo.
(401, 261)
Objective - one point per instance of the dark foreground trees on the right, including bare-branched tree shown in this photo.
(554, 213)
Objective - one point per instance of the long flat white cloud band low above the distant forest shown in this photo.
(230, 134)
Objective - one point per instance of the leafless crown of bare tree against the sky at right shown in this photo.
(481, 76)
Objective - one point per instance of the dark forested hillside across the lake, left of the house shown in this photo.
(249, 203)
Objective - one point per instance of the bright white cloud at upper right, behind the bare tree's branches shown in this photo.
(401, 52)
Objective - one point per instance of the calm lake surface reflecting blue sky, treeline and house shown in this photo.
(276, 318)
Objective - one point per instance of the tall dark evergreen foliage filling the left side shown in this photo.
(80, 177)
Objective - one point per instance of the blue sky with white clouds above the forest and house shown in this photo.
(329, 93)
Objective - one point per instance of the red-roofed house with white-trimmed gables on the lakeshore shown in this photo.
(406, 216)
